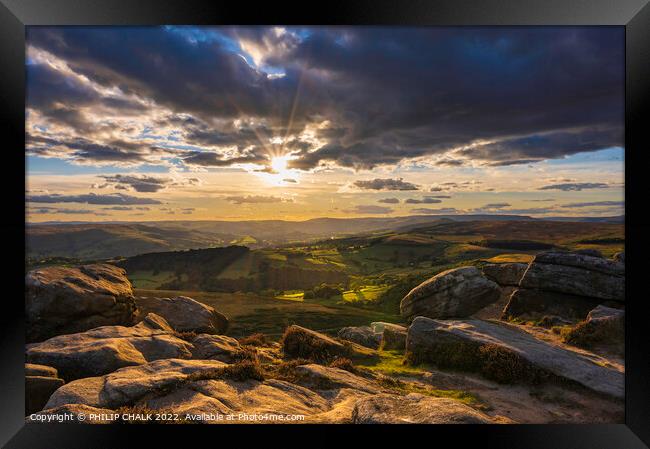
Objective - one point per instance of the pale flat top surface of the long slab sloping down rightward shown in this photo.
(434, 335)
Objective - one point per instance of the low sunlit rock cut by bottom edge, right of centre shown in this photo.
(414, 409)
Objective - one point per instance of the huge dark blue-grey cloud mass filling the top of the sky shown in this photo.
(501, 96)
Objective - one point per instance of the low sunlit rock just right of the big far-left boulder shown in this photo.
(184, 314)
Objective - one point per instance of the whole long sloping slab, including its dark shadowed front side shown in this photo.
(504, 353)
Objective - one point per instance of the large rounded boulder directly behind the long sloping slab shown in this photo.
(455, 293)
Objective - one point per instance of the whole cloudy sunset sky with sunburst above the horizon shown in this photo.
(242, 123)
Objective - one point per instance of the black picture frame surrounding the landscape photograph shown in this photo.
(634, 15)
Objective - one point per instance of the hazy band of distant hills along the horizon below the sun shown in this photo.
(107, 240)
